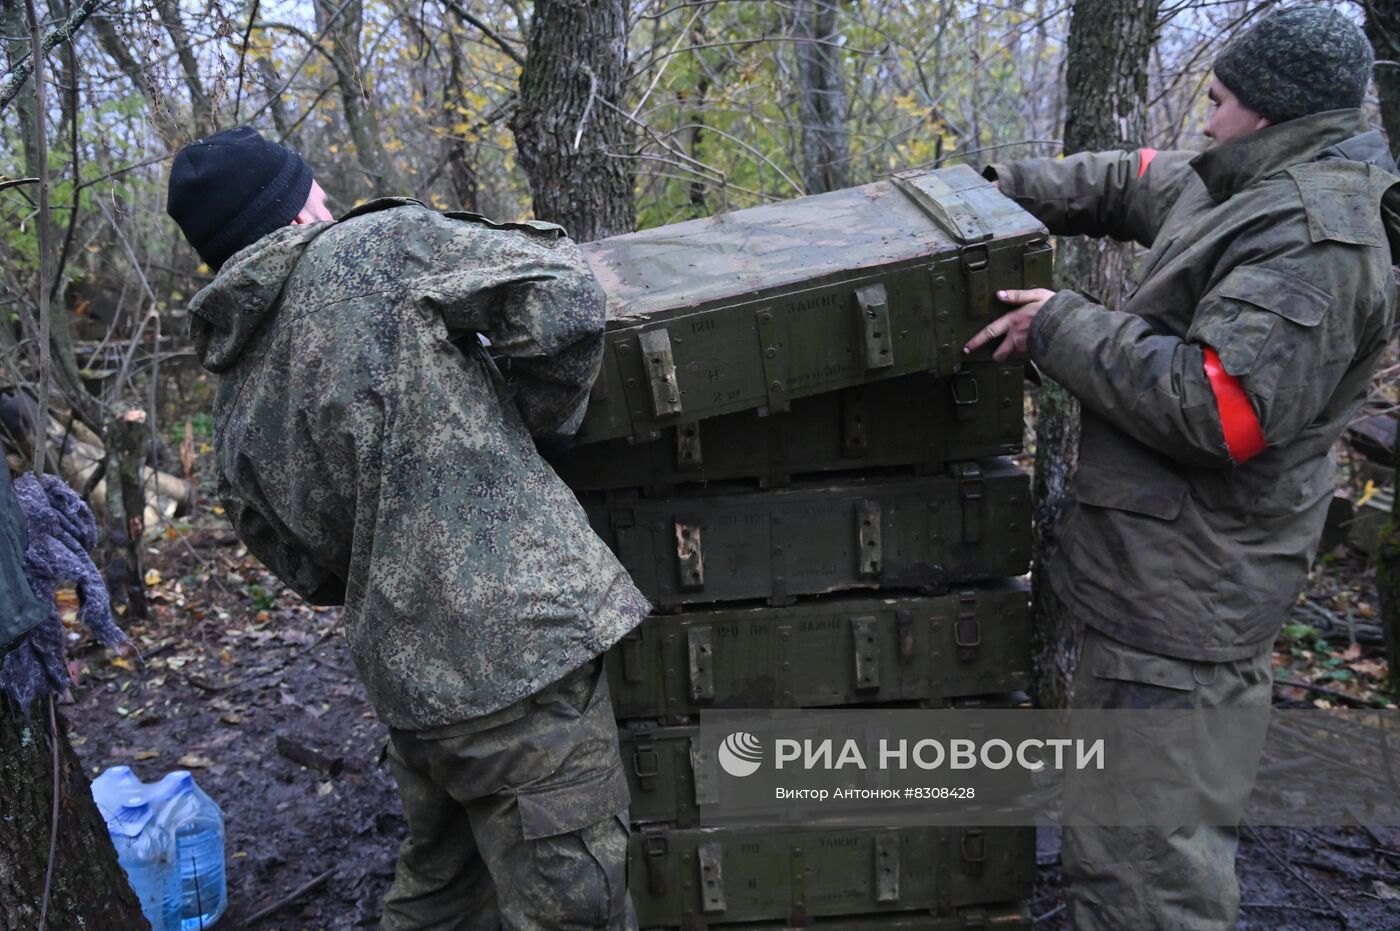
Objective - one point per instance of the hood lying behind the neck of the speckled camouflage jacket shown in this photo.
(227, 314)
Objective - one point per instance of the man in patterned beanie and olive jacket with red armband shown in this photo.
(1212, 401)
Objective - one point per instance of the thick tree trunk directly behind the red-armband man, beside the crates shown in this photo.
(1111, 43)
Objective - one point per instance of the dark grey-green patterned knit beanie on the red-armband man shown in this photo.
(1298, 62)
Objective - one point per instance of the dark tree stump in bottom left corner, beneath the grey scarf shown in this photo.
(90, 888)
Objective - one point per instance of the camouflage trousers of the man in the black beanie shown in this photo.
(517, 820)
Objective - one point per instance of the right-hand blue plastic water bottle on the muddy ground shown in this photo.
(198, 825)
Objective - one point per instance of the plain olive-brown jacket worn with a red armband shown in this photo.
(1275, 251)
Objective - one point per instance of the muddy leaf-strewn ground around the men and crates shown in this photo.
(255, 694)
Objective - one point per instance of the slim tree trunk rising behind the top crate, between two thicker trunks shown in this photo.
(822, 106)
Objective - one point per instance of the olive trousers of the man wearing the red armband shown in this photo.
(1163, 878)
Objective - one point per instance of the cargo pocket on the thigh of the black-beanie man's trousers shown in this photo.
(577, 836)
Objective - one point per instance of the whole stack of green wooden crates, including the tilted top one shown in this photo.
(799, 465)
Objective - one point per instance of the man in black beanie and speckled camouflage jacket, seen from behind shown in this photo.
(373, 453)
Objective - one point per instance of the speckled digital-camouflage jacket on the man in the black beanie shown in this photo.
(372, 453)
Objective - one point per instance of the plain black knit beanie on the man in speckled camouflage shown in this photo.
(234, 188)
